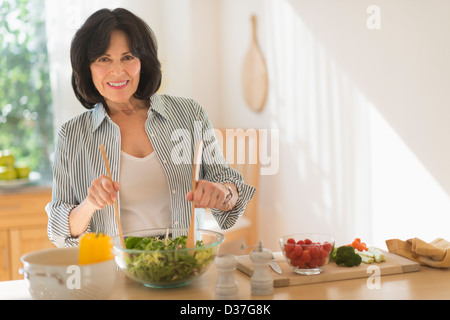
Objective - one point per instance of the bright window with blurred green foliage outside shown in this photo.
(26, 122)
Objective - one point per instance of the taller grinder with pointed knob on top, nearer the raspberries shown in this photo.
(261, 280)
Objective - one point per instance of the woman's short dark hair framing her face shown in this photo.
(92, 41)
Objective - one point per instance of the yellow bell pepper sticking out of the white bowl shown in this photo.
(95, 247)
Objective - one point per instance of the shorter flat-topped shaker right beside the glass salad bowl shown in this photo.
(226, 287)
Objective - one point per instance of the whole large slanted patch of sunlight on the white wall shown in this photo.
(348, 172)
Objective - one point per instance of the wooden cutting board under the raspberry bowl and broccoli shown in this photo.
(394, 264)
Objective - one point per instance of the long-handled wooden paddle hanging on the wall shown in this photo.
(254, 74)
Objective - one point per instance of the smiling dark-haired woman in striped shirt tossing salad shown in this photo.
(149, 140)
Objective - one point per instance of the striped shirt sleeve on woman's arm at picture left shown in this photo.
(63, 199)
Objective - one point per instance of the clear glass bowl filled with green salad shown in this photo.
(159, 258)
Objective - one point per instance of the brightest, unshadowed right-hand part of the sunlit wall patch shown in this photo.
(407, 201)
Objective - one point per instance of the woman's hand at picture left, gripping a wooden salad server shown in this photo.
(102, 192)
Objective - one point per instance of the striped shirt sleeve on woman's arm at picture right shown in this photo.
(215, 169)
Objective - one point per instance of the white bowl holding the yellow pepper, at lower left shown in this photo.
(55, 274)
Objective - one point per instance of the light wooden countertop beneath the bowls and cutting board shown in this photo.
(428, 283)
